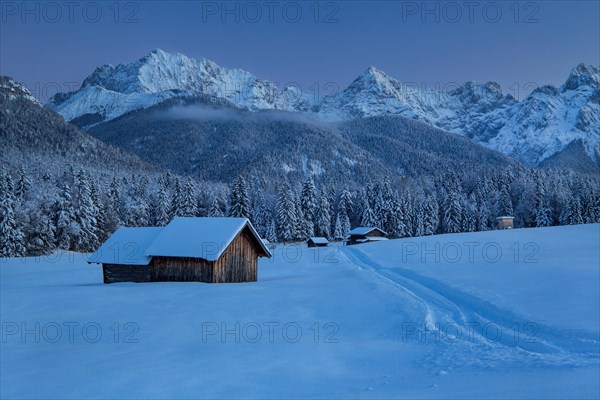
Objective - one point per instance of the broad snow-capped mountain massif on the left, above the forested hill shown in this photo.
(111, 91)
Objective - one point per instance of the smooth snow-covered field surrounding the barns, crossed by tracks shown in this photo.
(503, 314)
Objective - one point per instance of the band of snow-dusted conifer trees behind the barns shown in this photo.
(76, 211)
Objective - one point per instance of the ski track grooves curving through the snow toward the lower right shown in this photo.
(446, 307)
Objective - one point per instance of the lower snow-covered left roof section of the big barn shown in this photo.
(126, 246)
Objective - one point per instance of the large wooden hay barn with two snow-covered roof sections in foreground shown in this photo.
(213, 250)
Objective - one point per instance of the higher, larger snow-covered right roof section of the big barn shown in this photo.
(205, 238)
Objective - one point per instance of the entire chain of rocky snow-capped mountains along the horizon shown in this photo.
(535, 130)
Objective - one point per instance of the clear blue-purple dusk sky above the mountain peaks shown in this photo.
(47, 45)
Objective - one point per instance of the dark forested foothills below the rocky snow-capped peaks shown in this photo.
(214, 141)
